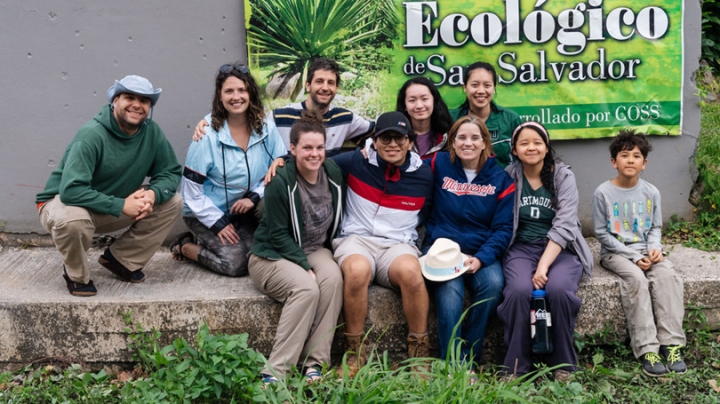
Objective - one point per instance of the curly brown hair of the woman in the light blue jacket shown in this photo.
(255, 111)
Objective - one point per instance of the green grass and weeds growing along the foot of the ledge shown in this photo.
(198, 373)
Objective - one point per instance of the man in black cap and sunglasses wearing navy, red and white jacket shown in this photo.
(386, 194)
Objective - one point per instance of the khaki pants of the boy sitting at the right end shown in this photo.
(652, 301)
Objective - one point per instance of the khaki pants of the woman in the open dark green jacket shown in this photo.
(308, 320)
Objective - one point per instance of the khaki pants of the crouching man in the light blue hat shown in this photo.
(72, 228)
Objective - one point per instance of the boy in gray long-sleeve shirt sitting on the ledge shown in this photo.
(627, 221)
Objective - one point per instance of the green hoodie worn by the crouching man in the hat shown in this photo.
(103, 165)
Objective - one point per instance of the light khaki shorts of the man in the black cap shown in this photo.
(378, 252)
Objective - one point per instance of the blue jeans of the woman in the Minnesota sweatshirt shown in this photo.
(485, 284)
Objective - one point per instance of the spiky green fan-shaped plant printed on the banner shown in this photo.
(289, 34)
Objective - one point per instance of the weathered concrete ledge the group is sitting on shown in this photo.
(39, 318)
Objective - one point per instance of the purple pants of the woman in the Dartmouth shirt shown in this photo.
(563, 279)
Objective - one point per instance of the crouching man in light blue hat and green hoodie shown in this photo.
(98, 188)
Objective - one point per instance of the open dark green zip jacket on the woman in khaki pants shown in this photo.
(277, 235)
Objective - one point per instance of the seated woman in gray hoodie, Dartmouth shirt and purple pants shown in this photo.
(547, 251)
